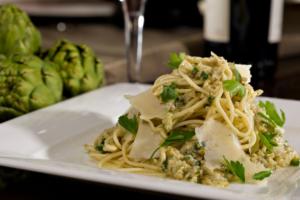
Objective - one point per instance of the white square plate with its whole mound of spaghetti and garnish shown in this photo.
(199, 131)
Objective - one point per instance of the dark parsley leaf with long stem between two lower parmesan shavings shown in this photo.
(176, 136)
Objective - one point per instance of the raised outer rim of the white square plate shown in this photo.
(71, 172)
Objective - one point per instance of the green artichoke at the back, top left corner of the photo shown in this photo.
(17, 33)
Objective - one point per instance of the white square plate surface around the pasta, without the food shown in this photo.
(51, 140)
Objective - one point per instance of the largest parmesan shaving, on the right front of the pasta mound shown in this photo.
(220, 142)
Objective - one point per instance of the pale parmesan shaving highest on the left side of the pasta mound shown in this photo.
(148, 105)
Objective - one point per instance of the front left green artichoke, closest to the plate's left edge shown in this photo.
(27, 83)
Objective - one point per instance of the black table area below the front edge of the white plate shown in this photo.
(39, 186)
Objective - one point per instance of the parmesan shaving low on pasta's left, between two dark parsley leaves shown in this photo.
(145, 143)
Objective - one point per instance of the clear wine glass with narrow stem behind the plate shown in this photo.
(133, 11)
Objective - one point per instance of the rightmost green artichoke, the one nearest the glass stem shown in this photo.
(80, 69)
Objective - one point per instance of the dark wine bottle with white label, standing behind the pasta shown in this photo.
(245, 31)
